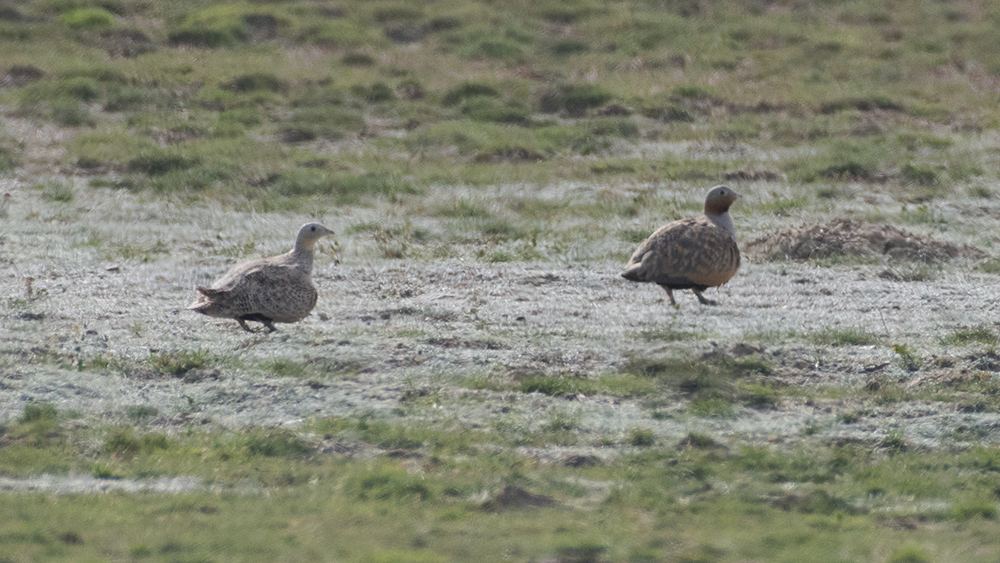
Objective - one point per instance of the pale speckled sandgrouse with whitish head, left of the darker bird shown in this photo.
(277, 289)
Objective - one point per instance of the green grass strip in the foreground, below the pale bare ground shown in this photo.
(820, 495)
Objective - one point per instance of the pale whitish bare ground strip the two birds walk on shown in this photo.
(404, 337)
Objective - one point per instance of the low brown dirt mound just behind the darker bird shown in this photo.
(844, 237)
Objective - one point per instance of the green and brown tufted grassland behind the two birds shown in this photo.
(880, 133)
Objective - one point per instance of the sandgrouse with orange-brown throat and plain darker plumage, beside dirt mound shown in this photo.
(695, 253)
